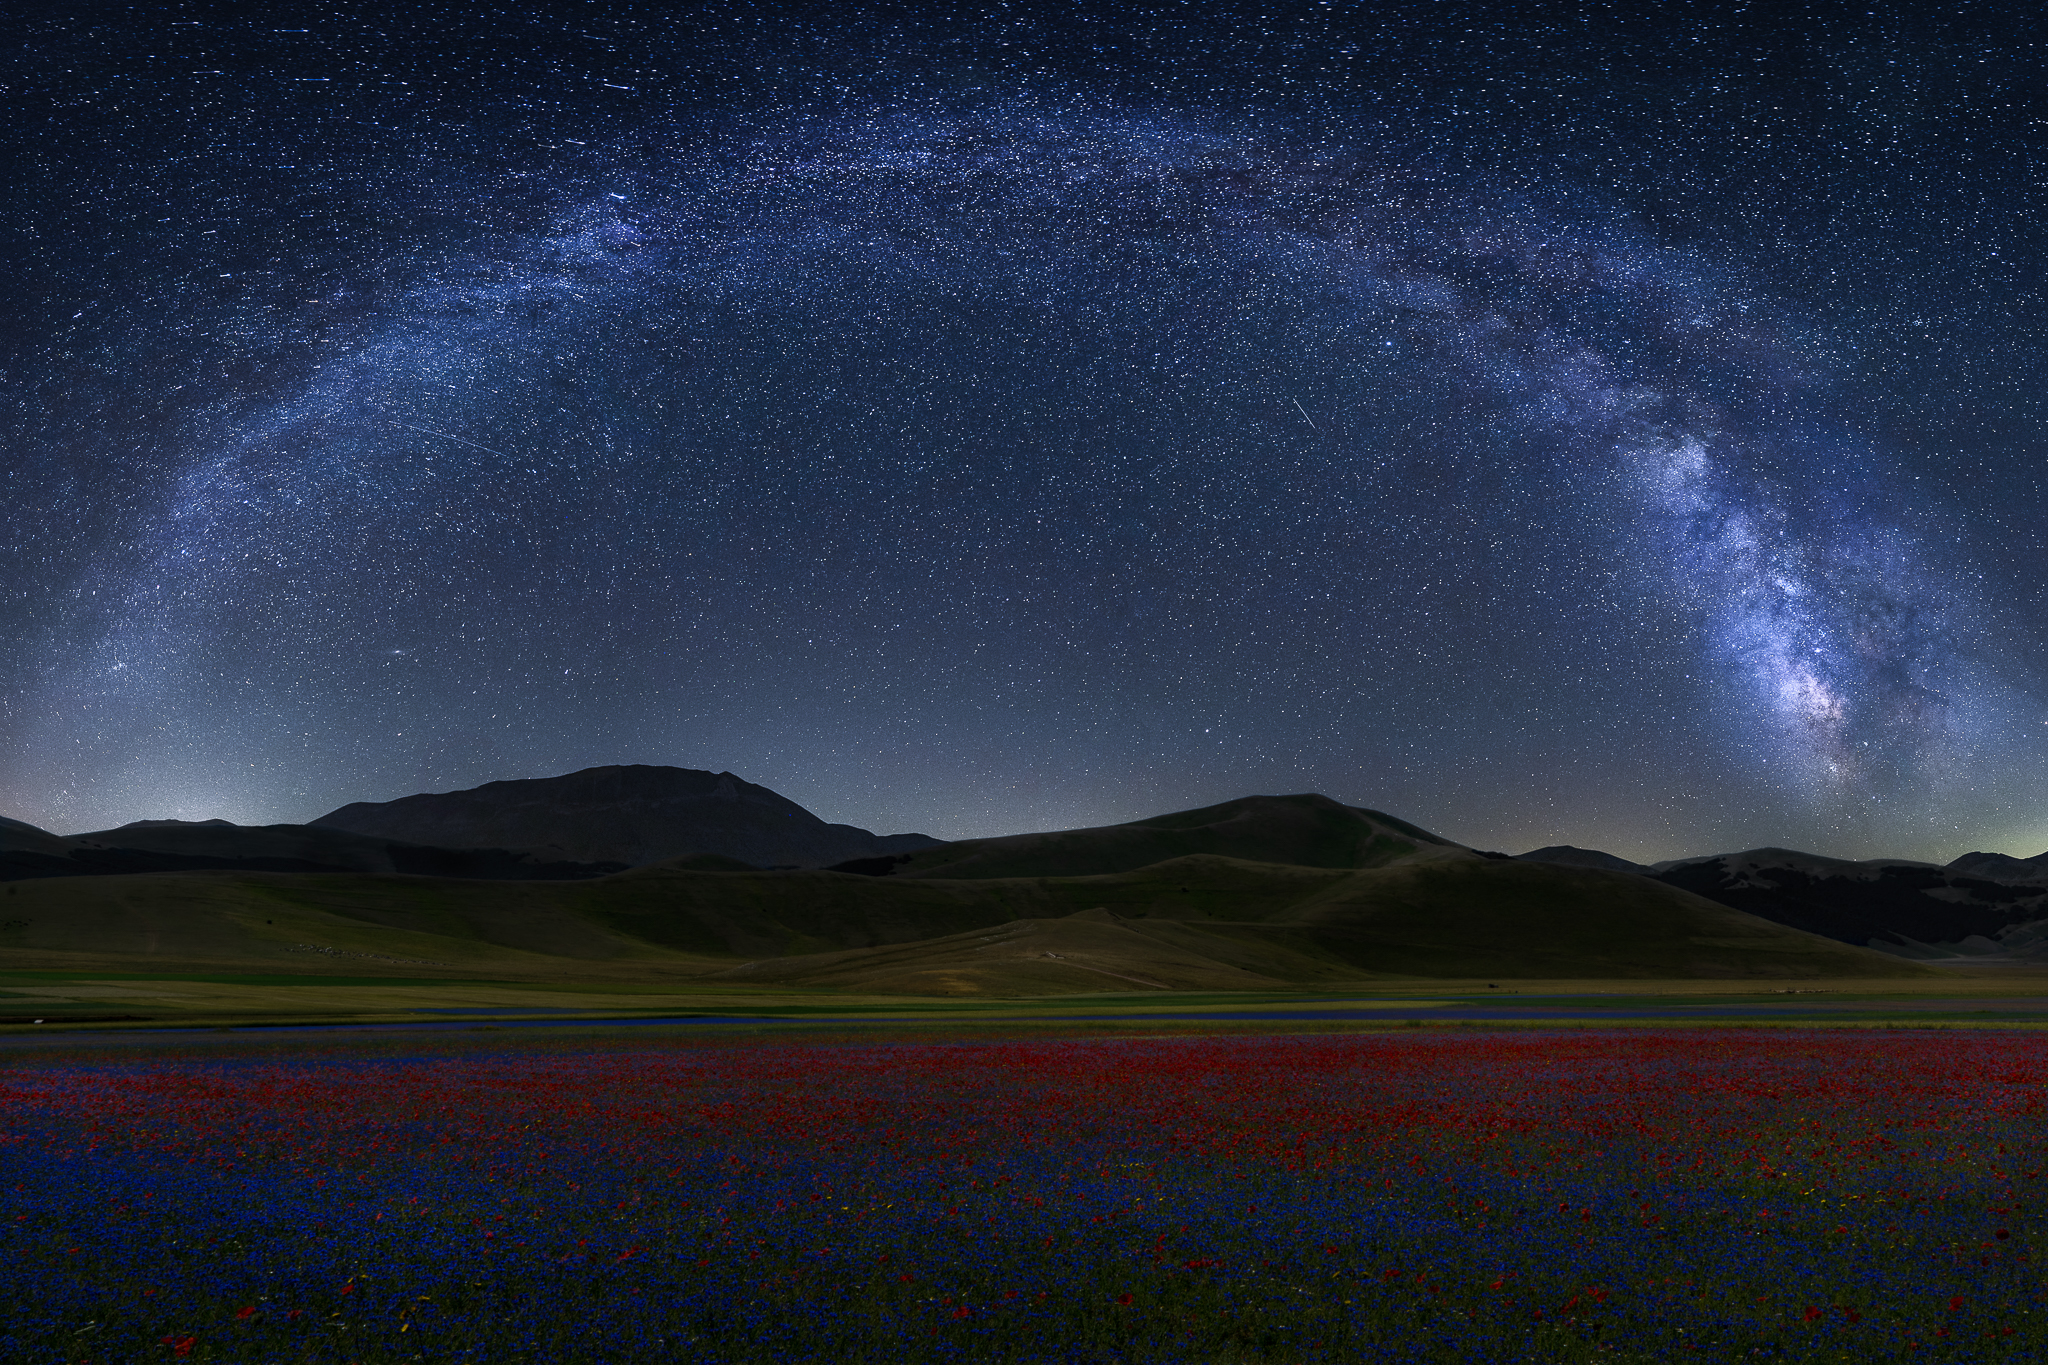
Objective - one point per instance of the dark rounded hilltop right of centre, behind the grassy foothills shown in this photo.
(1306, 832)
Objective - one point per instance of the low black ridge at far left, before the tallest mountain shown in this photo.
(179, 846)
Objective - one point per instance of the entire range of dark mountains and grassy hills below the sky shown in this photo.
(712, 875)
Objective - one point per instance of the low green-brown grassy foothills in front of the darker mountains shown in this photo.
(1197, 922)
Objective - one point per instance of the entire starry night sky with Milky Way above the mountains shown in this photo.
(1553, 425)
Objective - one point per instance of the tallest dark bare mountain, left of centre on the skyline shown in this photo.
(630, 816)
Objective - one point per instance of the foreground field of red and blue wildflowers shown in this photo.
(1398, 1196)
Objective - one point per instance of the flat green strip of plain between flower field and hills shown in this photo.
(73, 1010)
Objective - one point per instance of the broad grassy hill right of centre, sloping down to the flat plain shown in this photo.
(1220, 924)
